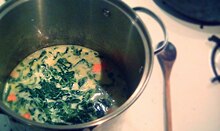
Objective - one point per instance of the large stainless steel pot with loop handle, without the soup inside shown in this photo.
(107, 26)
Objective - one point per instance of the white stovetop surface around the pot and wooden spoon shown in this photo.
(195, 100)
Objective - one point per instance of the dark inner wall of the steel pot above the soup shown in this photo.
(95, 24)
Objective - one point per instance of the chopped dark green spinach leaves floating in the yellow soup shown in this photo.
(52, 93)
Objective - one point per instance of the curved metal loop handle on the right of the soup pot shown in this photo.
(154, 16)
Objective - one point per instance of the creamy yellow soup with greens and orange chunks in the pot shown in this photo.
(64, 84)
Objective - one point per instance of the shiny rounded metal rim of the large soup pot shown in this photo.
(146, 70)
